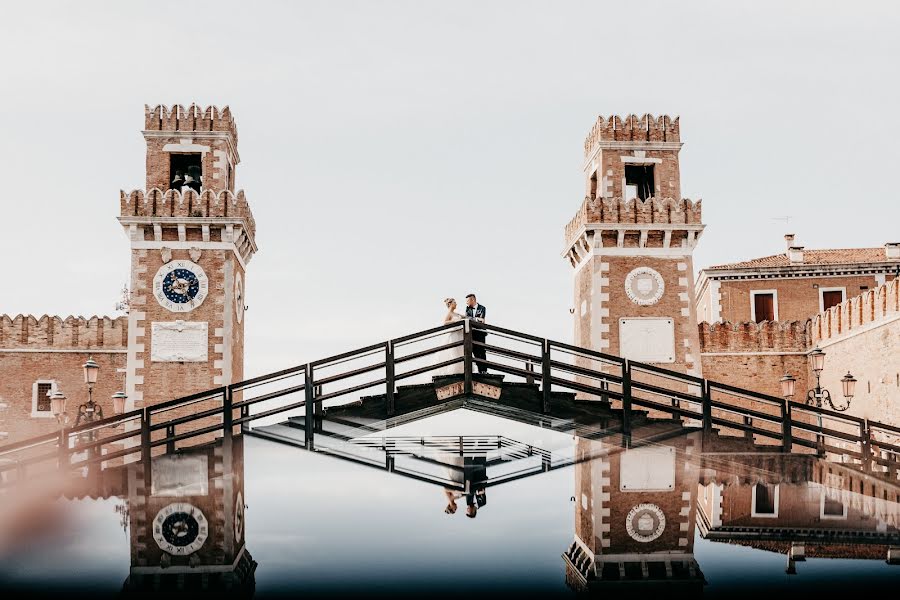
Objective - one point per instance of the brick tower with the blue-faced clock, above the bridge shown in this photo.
(191, 238)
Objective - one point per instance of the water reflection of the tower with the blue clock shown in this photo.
(187, 531)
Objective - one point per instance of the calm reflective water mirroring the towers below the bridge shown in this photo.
(317, 525)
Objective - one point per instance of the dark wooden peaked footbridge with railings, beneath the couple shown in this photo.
(565, 386)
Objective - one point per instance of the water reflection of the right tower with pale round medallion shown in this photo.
(634, 516)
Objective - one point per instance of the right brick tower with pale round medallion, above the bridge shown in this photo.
(631, 246)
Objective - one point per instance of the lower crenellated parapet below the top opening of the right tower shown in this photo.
(666, 211)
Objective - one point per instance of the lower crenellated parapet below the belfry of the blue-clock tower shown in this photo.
(188, 205)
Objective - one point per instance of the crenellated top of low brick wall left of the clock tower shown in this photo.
(25, 332)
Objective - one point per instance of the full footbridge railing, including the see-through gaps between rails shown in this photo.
(304, 391)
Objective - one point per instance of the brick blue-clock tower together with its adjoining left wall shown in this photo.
(190, 237)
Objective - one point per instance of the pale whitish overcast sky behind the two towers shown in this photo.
(395, 153)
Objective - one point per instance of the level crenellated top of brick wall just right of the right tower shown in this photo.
(751, 337)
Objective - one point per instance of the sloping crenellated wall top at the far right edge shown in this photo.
(869, 308)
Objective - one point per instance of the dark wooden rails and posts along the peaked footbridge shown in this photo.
(623, 376)
